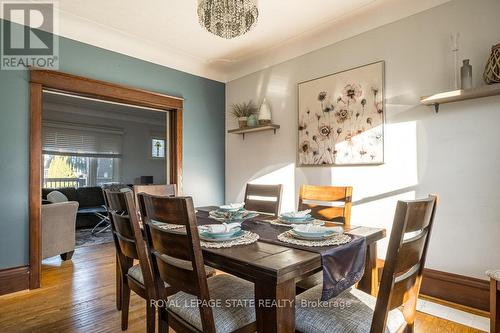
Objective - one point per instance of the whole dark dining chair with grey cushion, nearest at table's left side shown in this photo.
(177, 259)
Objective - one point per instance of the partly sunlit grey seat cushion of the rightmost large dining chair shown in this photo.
(351, 311)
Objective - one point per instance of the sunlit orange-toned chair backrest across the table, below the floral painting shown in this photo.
(323, 202)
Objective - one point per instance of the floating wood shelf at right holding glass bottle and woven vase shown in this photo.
(460, 95)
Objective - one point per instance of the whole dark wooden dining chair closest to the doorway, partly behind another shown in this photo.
(130, 246)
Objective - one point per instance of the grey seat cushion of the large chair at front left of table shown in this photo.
(235, 309)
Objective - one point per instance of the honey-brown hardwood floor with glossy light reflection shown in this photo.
(79, 296)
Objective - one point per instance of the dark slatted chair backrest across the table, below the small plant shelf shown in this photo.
(263, 198)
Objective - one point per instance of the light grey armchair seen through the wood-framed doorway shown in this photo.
(58, 229)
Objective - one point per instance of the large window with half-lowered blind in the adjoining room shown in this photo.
(77, 156)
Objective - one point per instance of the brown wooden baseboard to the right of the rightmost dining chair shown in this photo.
(464, 290)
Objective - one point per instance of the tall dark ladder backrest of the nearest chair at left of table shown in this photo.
(176, 255)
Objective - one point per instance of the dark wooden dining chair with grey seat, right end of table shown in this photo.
(394, 309)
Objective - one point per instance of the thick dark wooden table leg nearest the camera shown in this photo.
(275, 306)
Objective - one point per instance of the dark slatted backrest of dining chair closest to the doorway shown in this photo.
(127, 234)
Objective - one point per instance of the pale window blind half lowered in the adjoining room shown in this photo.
(71, 139)
